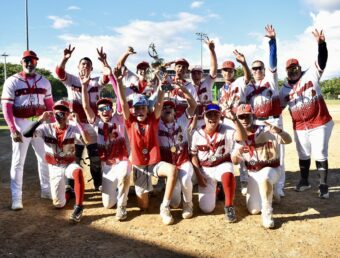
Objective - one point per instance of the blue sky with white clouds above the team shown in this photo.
(171, 25)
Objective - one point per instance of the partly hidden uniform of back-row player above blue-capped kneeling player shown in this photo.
(204, 94)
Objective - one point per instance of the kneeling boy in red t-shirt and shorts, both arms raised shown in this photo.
(142, 130)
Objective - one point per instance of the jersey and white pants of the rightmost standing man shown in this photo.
(312, 122)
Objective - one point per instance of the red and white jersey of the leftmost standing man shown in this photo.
(27, 94)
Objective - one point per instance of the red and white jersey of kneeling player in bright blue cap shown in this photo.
(213, 150)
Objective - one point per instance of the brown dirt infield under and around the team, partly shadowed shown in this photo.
(305, 226)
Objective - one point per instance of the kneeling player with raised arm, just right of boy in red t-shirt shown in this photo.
(173, 140)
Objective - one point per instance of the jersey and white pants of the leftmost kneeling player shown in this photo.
(60, 157)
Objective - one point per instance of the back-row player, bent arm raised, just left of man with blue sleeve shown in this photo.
(231, 94)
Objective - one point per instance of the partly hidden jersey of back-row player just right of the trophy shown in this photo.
(178, 96)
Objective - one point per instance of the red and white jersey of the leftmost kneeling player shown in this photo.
(58, 152)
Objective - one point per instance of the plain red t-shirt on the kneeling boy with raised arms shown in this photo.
(143, 138)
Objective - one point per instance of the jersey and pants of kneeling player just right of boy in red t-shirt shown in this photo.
(173, 141)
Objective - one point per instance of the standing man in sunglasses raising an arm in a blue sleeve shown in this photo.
(262, 94)
